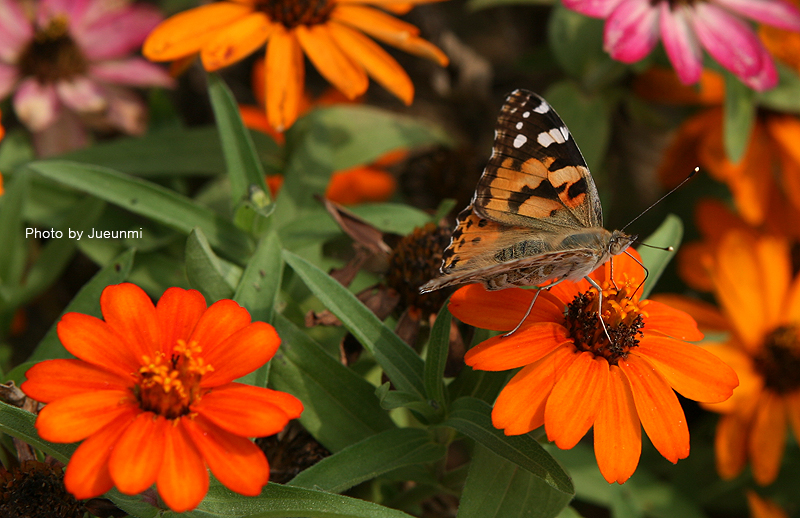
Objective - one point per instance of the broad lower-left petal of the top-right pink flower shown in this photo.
(631, 30)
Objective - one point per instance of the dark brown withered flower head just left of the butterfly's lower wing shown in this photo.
(414, 261)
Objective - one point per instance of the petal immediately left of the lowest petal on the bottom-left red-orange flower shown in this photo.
(136, 460)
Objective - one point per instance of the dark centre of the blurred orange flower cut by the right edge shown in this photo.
(779, 360)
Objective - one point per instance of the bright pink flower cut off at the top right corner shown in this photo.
(633, 28)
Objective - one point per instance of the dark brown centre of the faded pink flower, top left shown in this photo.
(52, 55)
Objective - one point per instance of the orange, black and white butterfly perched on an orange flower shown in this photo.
(535, 216)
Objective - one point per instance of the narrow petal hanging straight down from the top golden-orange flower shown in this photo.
(285, 71)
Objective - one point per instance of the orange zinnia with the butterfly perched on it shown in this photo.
(572, 377)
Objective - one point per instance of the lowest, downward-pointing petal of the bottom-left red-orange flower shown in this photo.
(183, 478)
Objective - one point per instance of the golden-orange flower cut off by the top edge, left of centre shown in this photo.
(329, 32)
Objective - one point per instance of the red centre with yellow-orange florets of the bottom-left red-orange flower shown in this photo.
(169, 387)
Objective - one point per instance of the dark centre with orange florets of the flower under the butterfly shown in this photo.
(622, 315)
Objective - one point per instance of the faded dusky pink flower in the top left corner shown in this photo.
(65, 61)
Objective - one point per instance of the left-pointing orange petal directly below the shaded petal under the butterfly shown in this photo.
(524, 347)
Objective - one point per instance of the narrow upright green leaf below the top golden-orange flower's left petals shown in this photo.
(244, 167)
